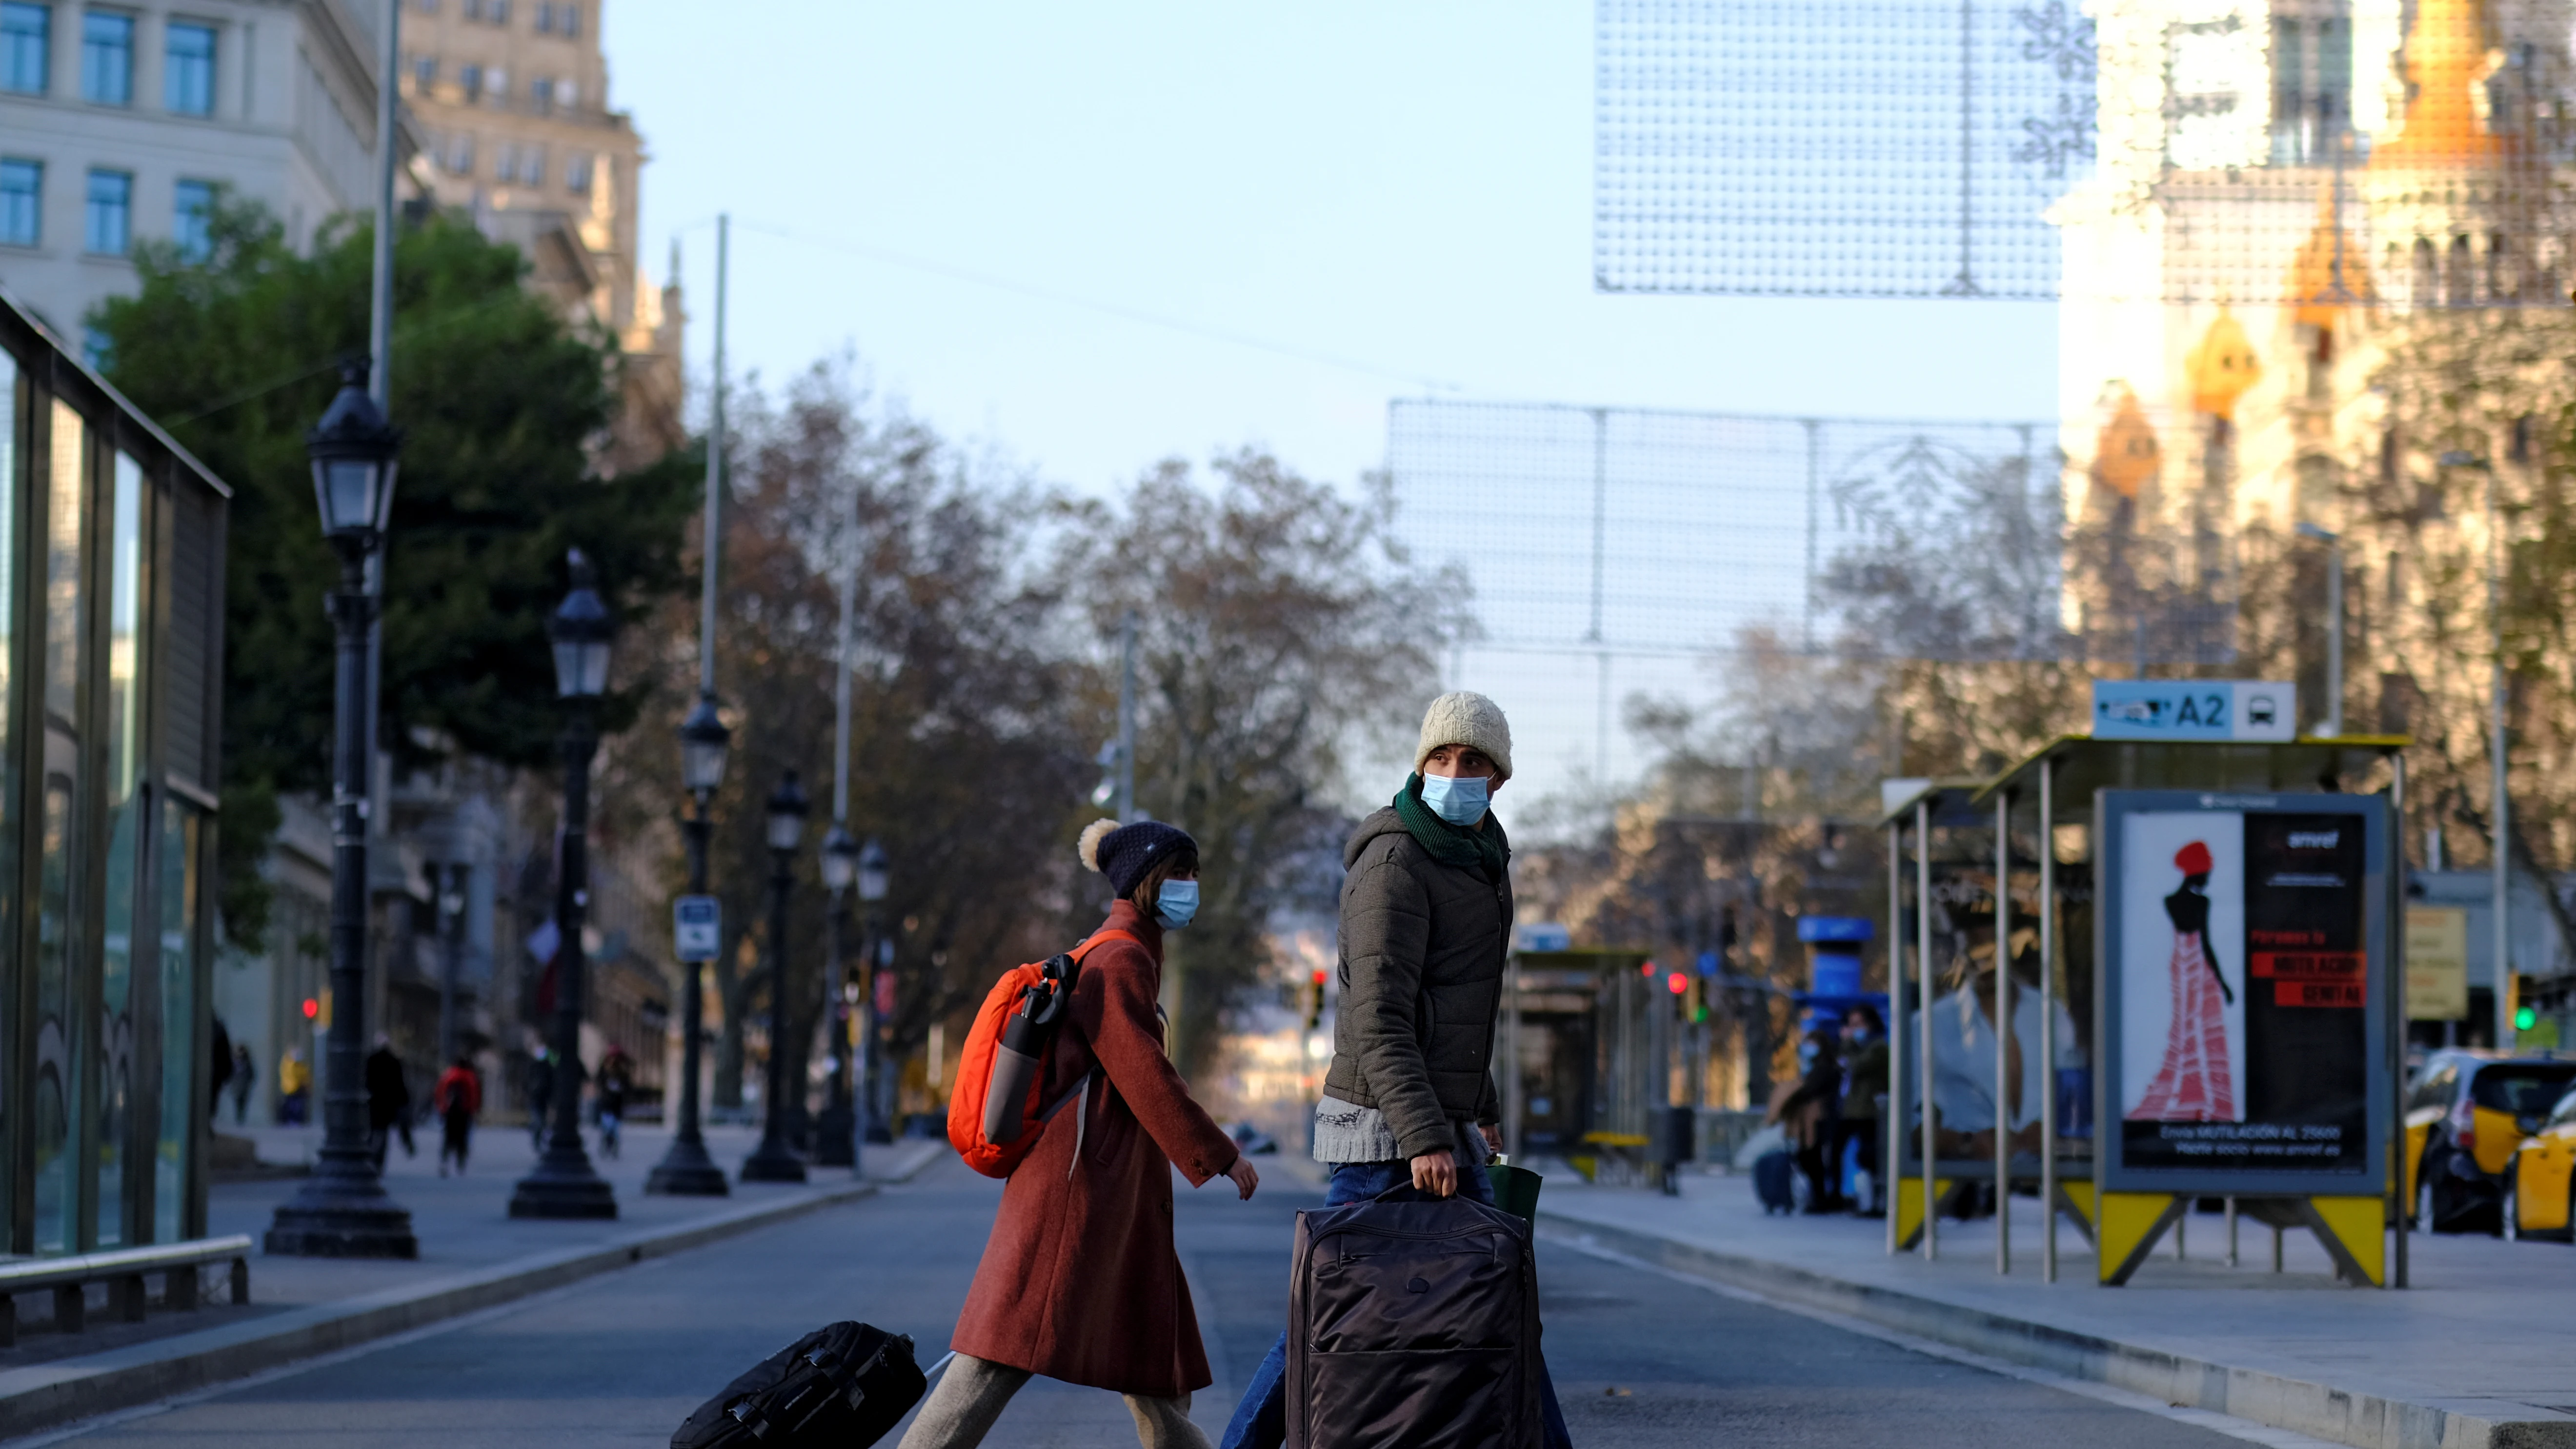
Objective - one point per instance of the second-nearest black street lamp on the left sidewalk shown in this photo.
(563, 1182)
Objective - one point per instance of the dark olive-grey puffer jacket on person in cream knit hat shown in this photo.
(1421, 986)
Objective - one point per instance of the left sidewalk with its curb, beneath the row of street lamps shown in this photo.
(473, 1257)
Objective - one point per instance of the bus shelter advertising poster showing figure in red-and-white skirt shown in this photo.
(2242, 991)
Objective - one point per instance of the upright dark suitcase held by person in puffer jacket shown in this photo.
(1413, 1327)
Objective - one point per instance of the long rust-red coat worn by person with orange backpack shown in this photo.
(1081, 1280)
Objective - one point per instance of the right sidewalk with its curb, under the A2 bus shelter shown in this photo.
(2477, 1355)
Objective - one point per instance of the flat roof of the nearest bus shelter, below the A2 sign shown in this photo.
(2085, 767)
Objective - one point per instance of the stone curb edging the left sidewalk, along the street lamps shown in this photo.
(45, 1396)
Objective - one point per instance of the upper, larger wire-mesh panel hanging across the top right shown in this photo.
(2299, 153)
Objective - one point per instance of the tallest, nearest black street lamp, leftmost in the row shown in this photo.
(344, 1211)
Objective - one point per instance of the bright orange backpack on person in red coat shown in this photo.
(996, 1115)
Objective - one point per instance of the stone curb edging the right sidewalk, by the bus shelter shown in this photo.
(2322, 1412)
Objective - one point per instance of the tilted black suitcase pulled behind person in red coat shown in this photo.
(841, 1386)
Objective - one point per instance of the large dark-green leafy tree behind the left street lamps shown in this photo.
(504, 409)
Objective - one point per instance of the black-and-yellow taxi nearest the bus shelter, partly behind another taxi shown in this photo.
(2467, 1123)
